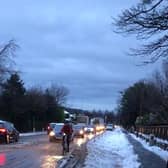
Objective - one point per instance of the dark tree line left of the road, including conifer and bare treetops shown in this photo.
(27, 108)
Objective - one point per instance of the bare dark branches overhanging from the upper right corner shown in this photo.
(147, 20)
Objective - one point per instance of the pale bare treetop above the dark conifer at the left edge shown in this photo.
(6, 53)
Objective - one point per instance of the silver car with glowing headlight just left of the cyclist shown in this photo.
(56, 134)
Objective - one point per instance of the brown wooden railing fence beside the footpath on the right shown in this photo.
(159, 131)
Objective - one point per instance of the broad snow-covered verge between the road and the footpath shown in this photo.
(111, 149)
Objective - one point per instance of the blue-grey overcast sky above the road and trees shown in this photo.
(72, 43)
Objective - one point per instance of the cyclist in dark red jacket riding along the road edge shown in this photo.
(67, 130)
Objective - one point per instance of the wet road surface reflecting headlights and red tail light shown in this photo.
(35, 152)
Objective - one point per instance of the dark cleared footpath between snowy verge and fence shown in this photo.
(146, 158)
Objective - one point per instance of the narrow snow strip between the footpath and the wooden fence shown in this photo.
(160, 152)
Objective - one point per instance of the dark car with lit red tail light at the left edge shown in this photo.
(8, 133)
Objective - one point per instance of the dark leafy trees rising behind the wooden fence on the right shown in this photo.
(146, 101)
